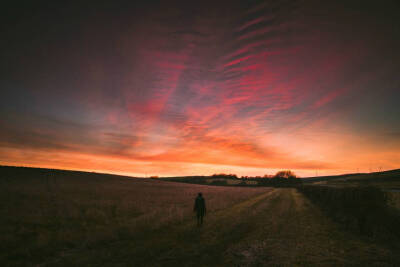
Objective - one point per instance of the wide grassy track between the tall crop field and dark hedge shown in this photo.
(277, 228)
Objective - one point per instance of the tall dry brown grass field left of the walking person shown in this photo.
(44, 214)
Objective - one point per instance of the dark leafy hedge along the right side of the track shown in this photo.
(360, 209)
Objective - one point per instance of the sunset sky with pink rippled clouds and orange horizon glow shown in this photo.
(200, 87)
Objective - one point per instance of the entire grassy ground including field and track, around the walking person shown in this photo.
(60, 218)
